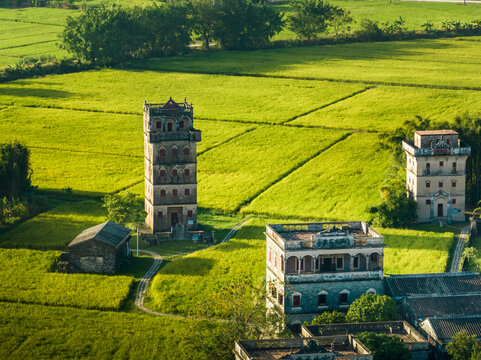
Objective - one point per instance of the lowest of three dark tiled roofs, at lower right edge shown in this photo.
(447, 327)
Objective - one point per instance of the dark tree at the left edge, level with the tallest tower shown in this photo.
(15, 170)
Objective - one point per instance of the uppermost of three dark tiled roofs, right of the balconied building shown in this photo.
(428, 284)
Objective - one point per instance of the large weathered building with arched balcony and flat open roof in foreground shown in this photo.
(313, 267)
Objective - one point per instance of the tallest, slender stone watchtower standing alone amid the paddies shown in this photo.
(170, 147)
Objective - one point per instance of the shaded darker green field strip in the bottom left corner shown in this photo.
(44, 332)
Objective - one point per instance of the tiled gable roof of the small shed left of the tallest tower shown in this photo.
(107, 232)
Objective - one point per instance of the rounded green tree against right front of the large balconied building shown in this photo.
(372, 307)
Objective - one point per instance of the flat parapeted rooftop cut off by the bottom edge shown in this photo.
(327, 347)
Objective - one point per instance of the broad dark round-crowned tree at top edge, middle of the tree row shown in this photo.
(242, 24)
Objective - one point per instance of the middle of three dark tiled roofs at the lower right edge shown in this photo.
(427, 306)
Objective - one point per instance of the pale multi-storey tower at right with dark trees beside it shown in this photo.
(436, 175)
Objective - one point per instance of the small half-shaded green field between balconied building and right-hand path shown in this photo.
(410, 251)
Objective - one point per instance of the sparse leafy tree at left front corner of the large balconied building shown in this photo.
(243, 306)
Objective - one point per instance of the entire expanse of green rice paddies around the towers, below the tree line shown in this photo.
(287, 134)
